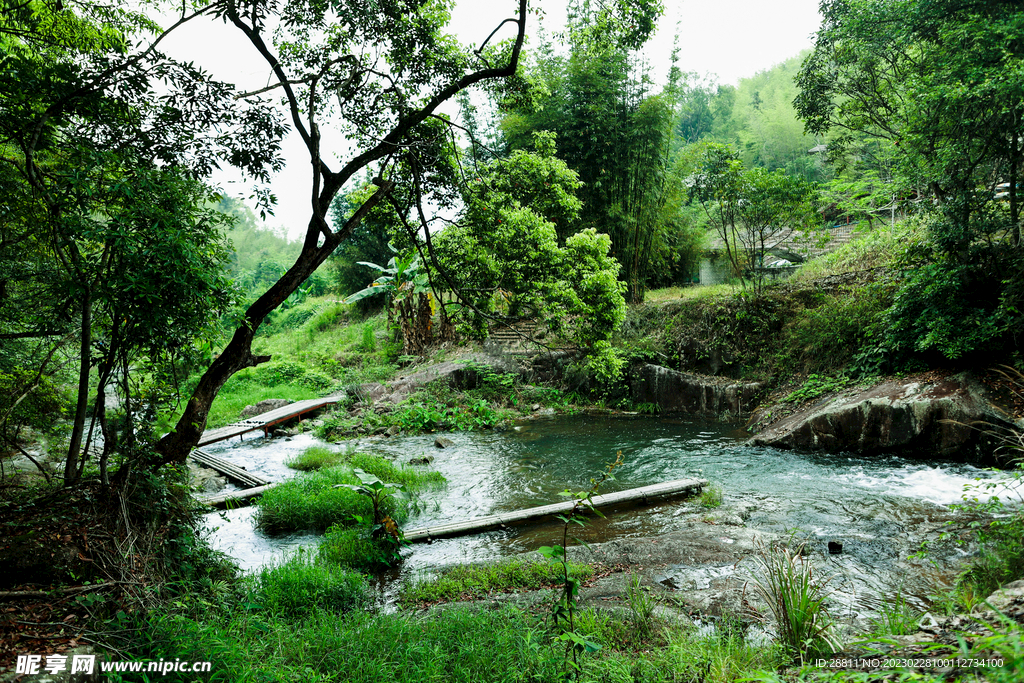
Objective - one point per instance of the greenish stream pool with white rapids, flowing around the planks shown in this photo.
(531, 464)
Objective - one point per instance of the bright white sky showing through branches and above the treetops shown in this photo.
(730, 39)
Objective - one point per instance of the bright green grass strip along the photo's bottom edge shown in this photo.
(457, 646)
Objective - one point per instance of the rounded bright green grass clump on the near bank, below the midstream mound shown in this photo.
(301, 585)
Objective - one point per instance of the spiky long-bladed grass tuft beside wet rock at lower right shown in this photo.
(796, 597)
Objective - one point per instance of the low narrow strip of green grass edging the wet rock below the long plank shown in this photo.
(472, 582)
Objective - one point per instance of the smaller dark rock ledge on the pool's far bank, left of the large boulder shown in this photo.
(673, 392)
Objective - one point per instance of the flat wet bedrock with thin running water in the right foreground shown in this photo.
(708, 569)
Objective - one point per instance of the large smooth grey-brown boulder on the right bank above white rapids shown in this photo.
(949, 418)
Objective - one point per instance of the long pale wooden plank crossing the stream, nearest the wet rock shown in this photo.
(642, 495)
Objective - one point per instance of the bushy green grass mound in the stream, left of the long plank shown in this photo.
(313, 502)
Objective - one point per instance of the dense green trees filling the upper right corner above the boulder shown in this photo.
(936, 88)
